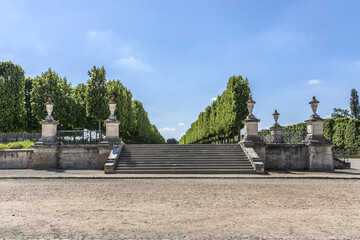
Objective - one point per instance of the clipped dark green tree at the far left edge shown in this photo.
(12, 85)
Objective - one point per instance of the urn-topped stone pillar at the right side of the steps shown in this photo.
(251, 136)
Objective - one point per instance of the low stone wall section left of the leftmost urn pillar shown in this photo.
(15, 158)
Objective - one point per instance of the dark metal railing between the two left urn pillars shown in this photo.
(80, 136)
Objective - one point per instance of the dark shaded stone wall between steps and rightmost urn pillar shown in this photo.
(286, 157)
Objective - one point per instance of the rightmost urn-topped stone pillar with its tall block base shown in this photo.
(320, 153)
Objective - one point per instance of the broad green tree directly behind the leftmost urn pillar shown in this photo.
(51, 85)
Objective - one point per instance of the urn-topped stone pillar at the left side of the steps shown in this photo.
(112, 127)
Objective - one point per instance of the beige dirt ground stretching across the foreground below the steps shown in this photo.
(180, 208)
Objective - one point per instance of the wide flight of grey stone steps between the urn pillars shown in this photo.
(182, 159)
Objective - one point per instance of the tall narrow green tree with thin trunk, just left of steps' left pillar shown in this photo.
(96, 95)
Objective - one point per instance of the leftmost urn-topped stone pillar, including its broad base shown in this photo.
(46, 150)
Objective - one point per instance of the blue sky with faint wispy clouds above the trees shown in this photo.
(175, 56)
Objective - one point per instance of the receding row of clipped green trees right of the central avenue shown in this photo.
(224, 116)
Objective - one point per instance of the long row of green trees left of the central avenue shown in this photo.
(84, 106)
